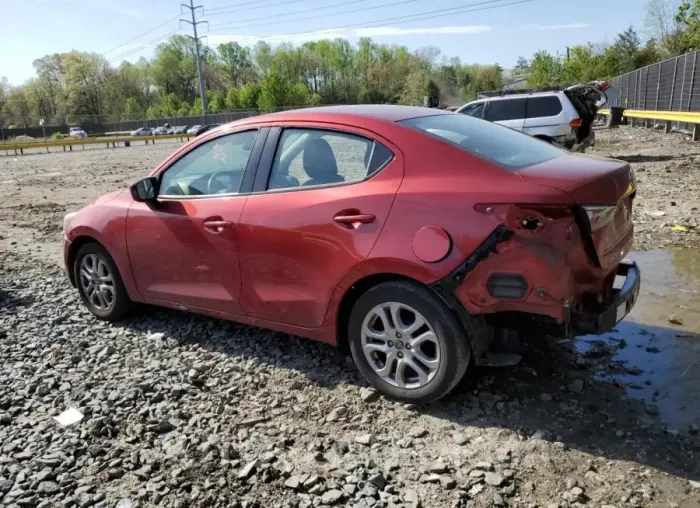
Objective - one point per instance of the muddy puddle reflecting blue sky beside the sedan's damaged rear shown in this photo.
(660, 362)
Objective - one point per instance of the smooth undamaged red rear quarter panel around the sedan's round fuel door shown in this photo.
(441, 186)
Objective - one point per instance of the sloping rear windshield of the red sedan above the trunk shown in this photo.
(495, 143)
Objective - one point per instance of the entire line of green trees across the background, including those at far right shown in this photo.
(83, 87)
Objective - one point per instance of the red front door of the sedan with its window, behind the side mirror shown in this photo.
(183, 248)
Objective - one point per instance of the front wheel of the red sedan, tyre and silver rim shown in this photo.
(99, 283)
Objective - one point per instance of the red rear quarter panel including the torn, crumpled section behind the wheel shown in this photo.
(442, 187)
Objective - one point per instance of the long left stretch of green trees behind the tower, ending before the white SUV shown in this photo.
(84, 85)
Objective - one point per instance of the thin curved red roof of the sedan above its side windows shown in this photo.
(383, 112)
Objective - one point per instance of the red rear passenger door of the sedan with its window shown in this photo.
(322, 195)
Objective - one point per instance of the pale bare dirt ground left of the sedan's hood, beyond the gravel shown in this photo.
(37, 190)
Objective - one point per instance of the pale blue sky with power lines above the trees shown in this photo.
(477, 31)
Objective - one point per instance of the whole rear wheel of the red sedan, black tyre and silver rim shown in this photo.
(407, 343)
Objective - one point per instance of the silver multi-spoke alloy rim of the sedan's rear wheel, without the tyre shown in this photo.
(400, 345)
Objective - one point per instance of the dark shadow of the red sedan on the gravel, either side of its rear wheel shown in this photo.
(555, 394)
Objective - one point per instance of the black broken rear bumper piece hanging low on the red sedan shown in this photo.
(596, 323)
